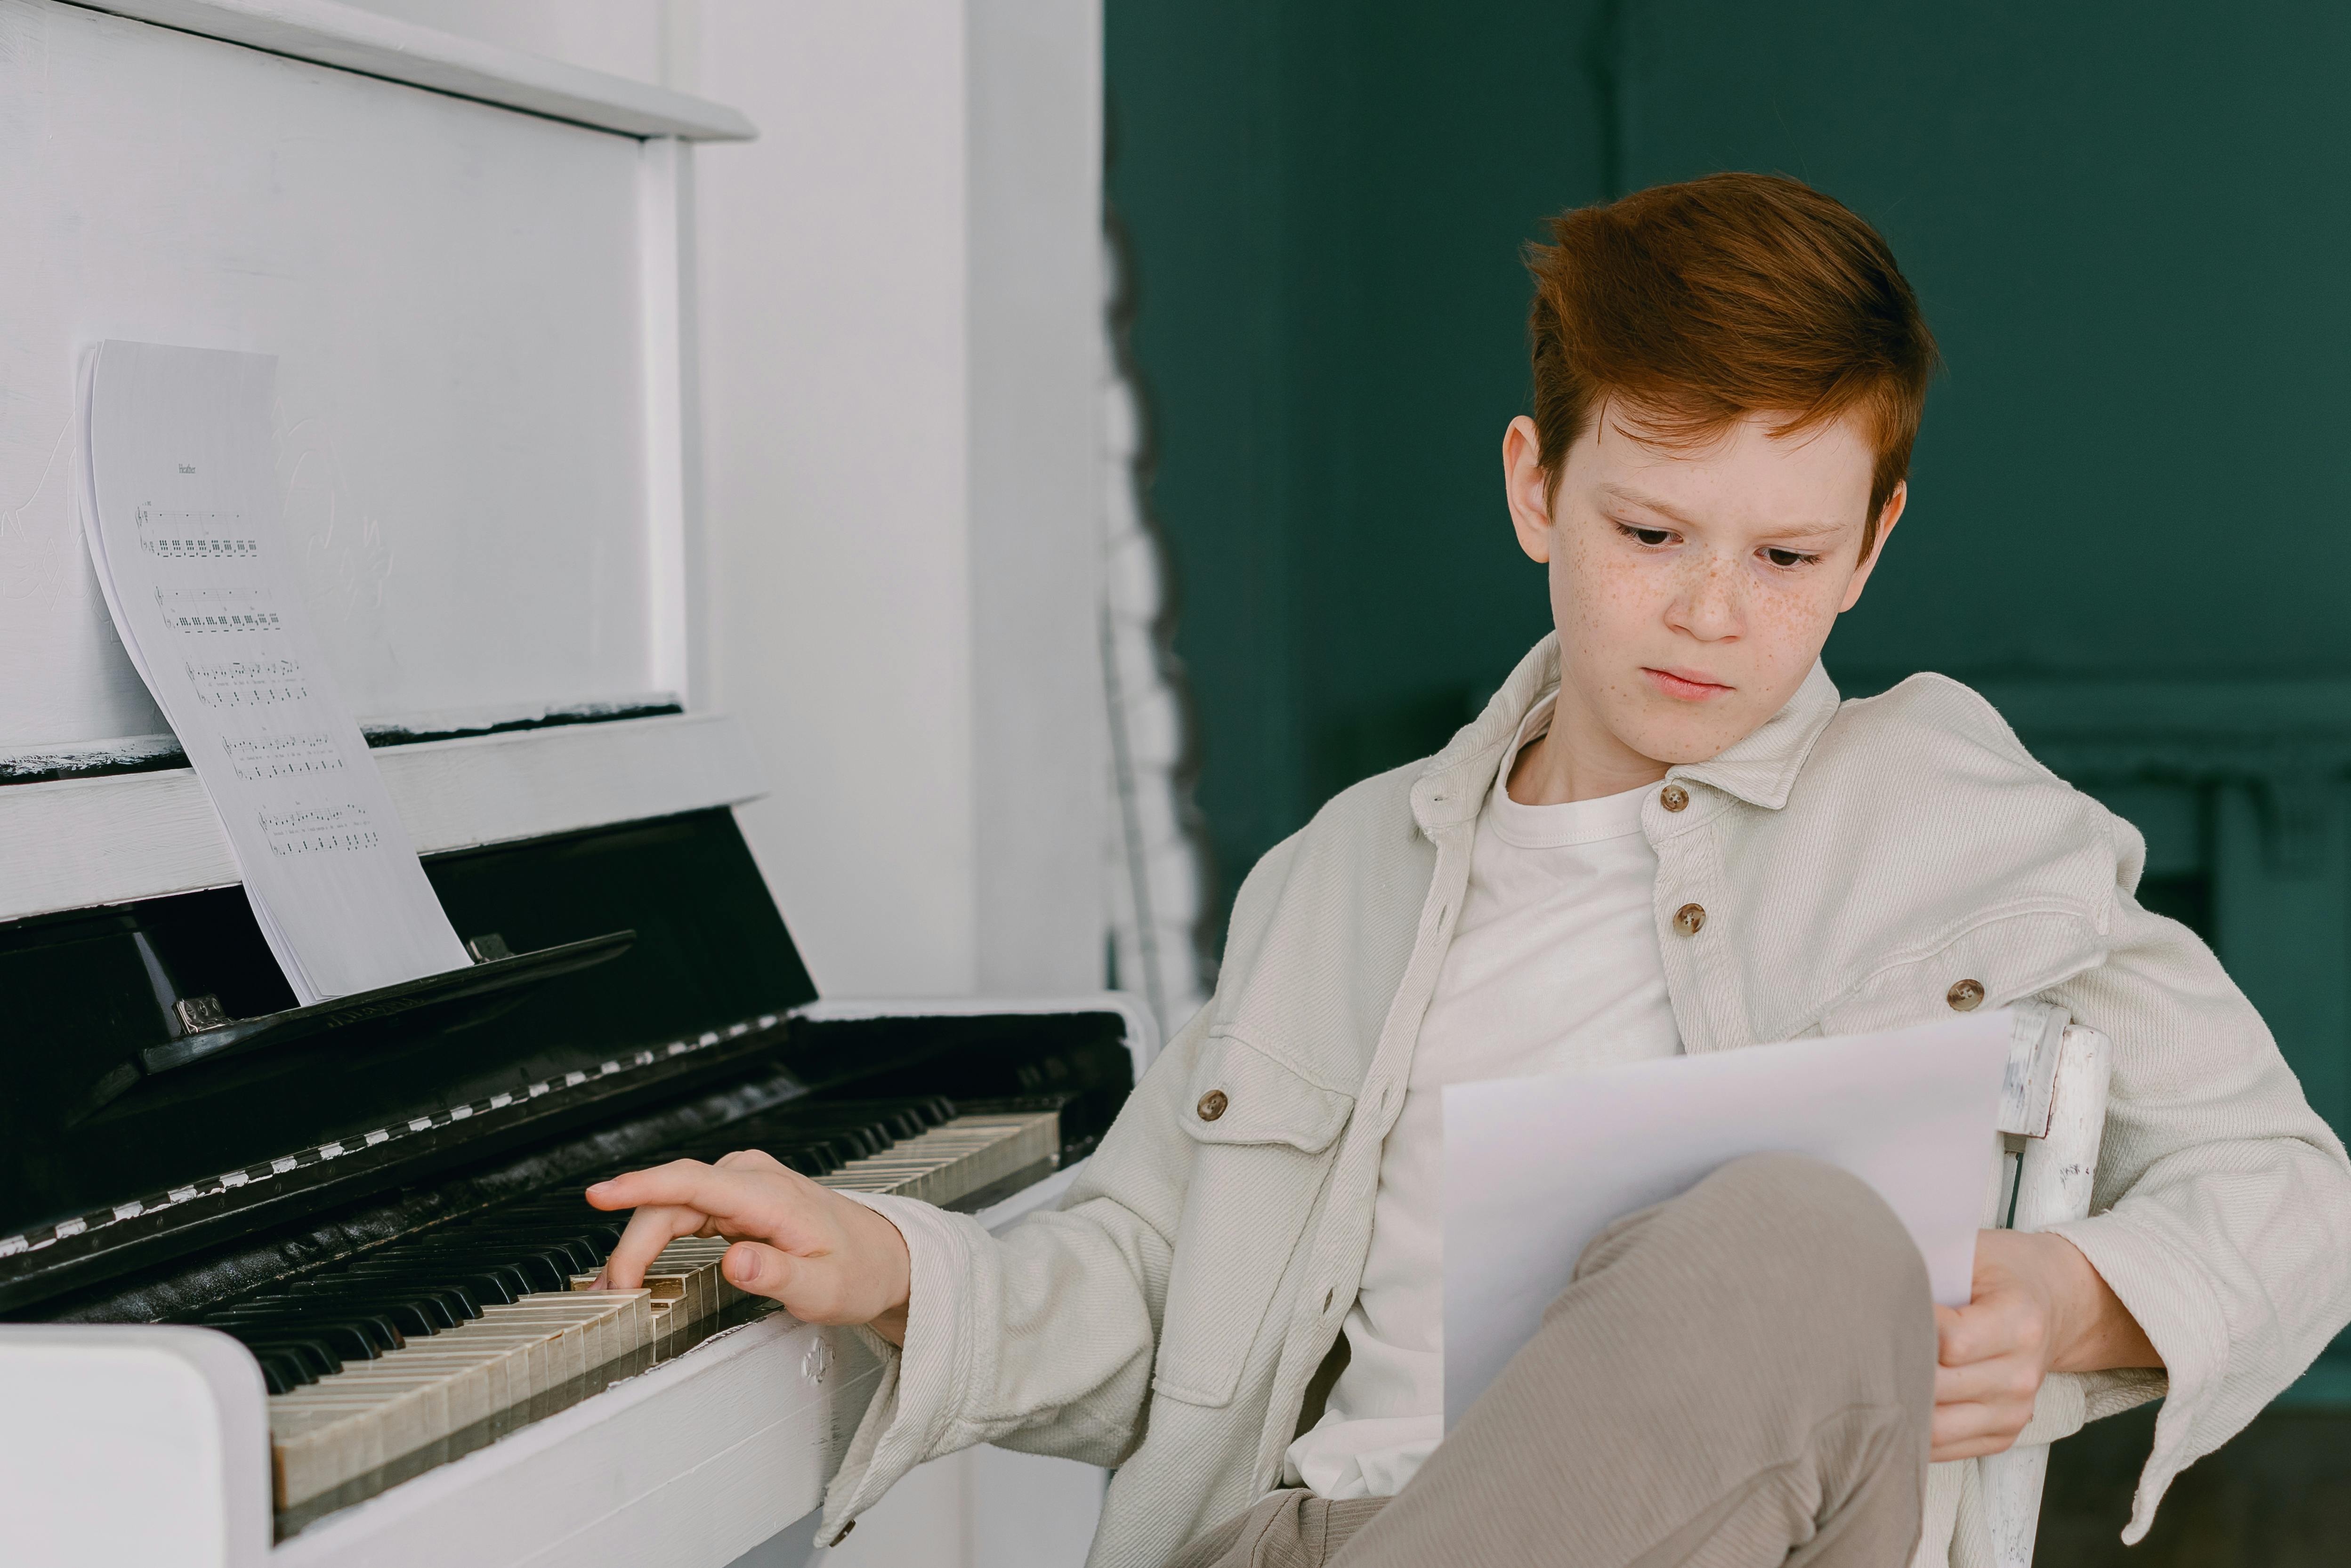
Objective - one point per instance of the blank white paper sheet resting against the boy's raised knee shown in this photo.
(1539, 1167)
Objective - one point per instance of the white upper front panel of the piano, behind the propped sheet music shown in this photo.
(462, 304)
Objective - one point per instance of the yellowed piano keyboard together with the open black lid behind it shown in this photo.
(389, 1217)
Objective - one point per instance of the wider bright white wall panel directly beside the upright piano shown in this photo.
(836, 448)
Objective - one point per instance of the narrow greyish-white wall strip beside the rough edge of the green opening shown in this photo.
(1038, 469)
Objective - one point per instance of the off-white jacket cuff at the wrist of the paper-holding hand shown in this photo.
(2181, 1311)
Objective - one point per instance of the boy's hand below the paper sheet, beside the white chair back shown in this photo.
(2039, 1308)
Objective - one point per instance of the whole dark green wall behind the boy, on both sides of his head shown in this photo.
(2126, 222)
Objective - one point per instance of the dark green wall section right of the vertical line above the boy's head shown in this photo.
(2131, 227)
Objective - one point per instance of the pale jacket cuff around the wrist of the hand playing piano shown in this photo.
(923, 1386)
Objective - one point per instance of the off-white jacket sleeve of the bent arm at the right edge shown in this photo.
(2223, 1202)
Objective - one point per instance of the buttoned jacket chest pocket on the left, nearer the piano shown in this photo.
(1261, 1141)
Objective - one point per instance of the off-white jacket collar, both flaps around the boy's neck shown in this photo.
(1760, 770)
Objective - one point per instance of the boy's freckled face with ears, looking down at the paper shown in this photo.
(1696, 587)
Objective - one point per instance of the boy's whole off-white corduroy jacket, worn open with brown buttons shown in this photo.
(1856, 862)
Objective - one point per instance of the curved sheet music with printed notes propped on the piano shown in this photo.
(180, 504)
